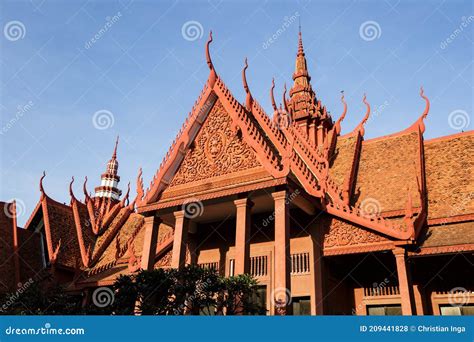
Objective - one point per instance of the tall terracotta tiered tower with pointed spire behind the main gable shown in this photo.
(305, 109)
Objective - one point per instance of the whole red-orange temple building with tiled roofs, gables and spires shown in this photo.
(327, 223)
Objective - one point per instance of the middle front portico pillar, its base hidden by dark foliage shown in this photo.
(242, 235)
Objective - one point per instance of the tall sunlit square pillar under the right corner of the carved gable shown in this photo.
(281, 295)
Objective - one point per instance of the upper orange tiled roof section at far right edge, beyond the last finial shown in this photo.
(450, 176)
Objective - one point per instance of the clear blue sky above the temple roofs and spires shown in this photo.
(147, 73)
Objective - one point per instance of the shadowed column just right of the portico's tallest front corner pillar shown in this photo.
(317, 273)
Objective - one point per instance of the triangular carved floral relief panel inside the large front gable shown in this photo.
(217, 151)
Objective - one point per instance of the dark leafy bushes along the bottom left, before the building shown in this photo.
(189, 291)
